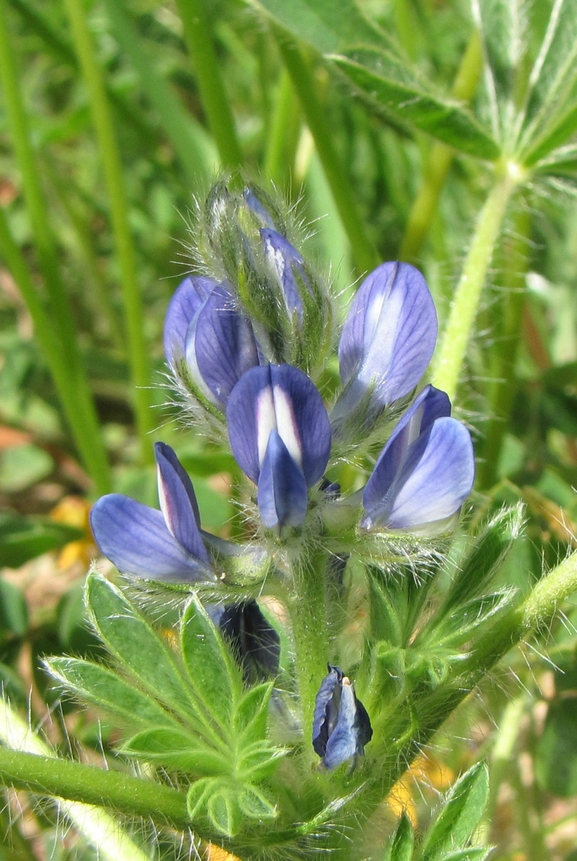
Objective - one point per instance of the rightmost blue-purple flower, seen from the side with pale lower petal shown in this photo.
(425, 471)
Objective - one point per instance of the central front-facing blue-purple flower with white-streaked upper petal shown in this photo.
(280, 435)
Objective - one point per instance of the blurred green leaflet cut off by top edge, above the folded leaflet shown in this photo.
(331, 28)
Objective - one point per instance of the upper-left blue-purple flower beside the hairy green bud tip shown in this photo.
(208, 338)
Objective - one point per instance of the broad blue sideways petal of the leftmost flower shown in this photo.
(135, 538)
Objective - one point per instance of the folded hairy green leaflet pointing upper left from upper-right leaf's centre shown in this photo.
(440, 117)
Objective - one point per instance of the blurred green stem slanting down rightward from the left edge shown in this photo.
(86, 436)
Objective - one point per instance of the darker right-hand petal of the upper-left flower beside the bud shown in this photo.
(224, 345)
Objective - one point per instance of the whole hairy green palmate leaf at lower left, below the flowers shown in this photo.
(186, 711)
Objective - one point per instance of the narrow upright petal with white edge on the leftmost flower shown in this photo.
(178, 502)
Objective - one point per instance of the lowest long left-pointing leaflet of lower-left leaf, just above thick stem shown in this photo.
(178, 750)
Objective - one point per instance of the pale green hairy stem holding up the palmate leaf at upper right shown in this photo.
(448, 363)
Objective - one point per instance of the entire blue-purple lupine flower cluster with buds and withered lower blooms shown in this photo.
(246, 345)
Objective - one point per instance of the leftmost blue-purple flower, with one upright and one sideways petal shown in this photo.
(159, 545)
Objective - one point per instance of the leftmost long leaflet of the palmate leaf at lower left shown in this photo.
(99, 686)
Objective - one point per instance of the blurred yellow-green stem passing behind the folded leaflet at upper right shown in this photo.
(440, 158)
